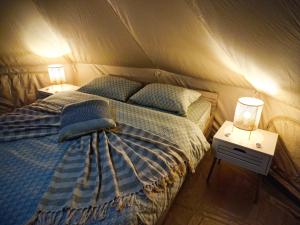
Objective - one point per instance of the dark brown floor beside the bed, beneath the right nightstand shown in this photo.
(228, 199)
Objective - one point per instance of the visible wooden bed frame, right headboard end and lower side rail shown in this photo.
(211, 97)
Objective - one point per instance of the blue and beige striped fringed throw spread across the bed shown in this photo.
(98, 171)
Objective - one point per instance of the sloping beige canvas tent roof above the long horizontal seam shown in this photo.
(242, 43)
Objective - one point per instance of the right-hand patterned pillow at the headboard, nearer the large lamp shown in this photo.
(166, 97)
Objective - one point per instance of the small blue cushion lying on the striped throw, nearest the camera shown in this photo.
(85, 117)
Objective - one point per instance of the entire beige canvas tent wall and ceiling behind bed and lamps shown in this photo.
(235, 48)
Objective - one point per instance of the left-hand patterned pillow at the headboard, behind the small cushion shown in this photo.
(112, 87)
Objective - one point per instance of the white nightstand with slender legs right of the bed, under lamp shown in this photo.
(253, 151)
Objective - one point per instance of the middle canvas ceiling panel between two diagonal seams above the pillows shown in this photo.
(173, 38)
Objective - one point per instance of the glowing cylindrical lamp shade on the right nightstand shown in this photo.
(247, 113)
